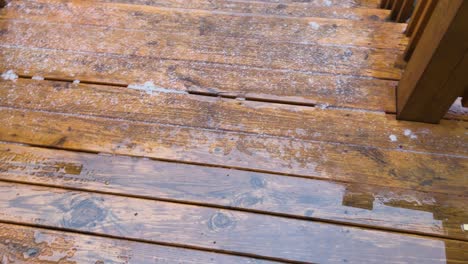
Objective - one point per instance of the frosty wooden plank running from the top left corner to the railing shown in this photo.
(205, 23)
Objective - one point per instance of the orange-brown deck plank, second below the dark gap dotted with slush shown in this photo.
(237, 150)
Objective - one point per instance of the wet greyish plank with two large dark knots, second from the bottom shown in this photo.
(215, 229)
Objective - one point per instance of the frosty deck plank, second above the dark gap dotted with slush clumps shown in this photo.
(223, 50)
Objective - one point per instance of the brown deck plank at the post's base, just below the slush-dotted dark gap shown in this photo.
(305, 123)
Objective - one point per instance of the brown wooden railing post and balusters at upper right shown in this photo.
(437, 54)
